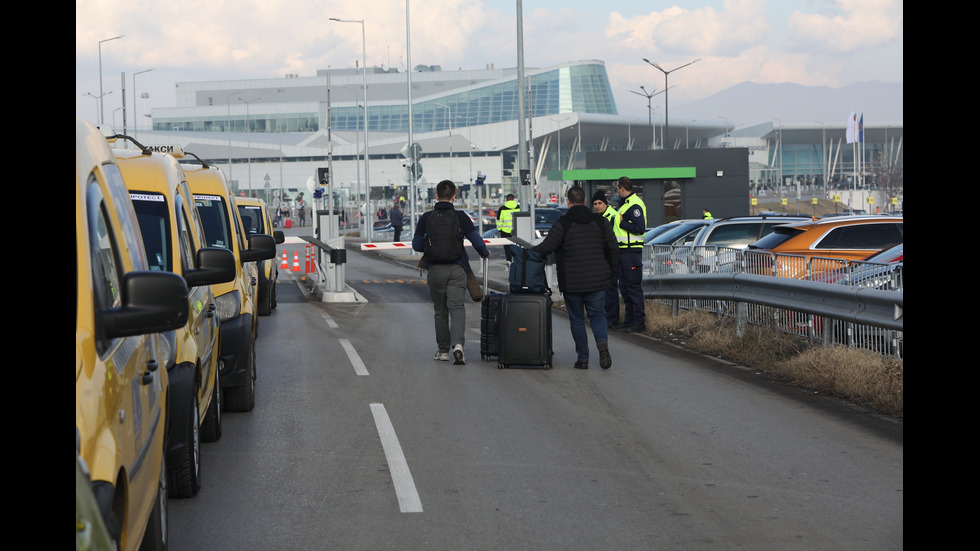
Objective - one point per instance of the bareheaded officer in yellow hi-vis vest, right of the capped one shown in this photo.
(629, 228)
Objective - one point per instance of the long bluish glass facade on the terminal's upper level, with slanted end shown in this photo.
(582, 88)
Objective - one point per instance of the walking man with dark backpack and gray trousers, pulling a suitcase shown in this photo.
(439, 236)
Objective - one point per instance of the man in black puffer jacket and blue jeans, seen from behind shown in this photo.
(586, 257)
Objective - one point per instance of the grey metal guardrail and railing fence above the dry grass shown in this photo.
(848, 303)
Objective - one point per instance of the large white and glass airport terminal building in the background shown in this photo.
(271, 135)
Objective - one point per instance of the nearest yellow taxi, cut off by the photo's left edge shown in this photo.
(120, 361)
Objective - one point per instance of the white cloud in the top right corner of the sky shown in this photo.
(852, 25)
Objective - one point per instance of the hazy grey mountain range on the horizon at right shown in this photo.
(750, 103)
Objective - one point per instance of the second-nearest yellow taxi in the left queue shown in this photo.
(173, 238)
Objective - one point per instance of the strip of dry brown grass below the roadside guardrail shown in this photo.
(857, 375)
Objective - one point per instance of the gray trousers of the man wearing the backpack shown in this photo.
(447, 287)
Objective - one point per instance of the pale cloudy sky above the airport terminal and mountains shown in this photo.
(809, 42)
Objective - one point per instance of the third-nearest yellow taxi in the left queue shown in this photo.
(236, 300)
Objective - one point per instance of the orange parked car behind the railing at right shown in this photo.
(843, 238)
